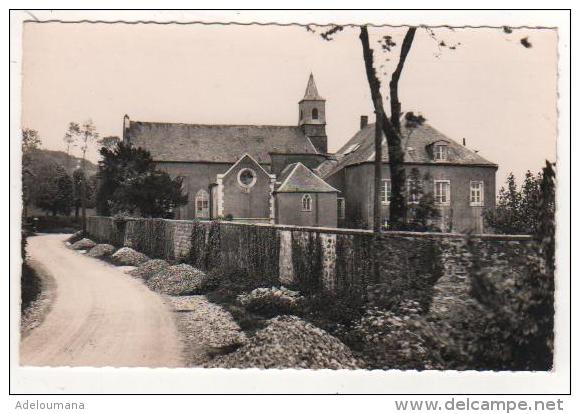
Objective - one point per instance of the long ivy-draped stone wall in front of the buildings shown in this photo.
(424, 267)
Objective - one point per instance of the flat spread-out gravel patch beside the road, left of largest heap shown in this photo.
(207, 329)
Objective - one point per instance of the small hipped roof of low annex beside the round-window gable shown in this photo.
(297, 178)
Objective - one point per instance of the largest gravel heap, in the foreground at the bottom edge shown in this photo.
(290, 342)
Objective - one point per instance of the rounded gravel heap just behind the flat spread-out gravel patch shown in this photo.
(179, 280)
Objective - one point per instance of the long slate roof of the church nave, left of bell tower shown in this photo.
(217, 143)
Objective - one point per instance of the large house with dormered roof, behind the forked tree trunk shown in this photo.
(461, 181)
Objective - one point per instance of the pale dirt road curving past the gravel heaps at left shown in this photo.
(100, 316)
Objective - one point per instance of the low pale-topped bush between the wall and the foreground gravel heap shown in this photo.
(271, 301)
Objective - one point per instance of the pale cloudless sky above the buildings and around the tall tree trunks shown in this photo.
(498, 95)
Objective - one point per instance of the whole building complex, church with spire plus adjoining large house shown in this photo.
(285, 174)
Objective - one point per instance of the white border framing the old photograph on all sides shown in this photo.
(110, 380)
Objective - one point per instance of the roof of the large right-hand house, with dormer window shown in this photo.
(360, 148)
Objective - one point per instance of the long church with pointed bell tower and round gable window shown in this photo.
(250, 173)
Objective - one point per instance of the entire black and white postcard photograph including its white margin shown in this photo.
(322, 194)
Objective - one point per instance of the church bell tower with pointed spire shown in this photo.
(312, 116)
